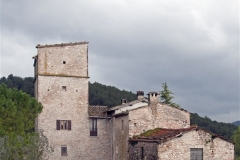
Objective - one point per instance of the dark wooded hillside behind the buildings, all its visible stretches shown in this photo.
(110, 96)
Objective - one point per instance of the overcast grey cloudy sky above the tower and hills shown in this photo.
(193, 45)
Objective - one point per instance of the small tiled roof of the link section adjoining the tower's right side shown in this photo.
(97, 111)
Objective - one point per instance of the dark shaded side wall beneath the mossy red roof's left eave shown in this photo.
(143, 150)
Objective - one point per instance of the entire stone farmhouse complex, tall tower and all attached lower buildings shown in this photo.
(144, 129)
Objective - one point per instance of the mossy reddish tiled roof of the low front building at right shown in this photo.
(163, 134)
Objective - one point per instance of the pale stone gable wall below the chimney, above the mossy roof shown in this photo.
(143, 119)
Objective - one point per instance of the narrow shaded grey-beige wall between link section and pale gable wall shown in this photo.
(120, 137)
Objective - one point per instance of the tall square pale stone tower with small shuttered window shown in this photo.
(61, 85)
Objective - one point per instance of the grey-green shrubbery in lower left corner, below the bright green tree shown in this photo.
(28, 146)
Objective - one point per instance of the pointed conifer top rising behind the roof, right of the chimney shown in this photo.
(166, 96)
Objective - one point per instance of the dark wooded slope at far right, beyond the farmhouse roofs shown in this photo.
(224, 129)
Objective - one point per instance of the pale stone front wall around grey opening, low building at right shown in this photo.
(179, 148)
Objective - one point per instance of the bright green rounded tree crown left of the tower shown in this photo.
(17, 111)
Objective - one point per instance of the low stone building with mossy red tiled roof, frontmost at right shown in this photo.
(190, 143)
